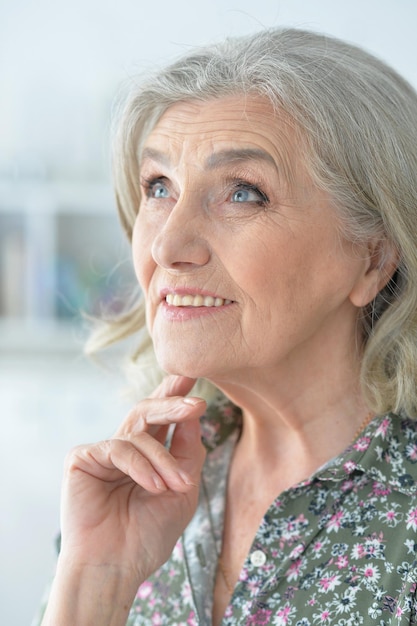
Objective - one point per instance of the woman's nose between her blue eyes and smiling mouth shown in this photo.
(182, 241)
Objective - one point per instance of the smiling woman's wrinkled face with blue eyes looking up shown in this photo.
(241, 269)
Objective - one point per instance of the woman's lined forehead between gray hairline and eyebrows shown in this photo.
(224, 124)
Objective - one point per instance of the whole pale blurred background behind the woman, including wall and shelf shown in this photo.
(61, 249)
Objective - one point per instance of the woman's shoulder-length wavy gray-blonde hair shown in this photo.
(358, 120)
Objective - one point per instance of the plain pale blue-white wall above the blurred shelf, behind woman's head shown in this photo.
(60, 60)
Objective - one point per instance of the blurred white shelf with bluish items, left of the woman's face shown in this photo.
(62, 251)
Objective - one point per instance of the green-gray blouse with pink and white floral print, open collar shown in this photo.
(338, 548)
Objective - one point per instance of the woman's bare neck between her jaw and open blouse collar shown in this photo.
(299, 413)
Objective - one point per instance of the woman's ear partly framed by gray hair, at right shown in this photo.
(381, 262)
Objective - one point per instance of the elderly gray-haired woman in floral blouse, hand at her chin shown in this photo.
(268, 187)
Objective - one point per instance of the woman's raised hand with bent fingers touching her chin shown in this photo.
(127, 500)
